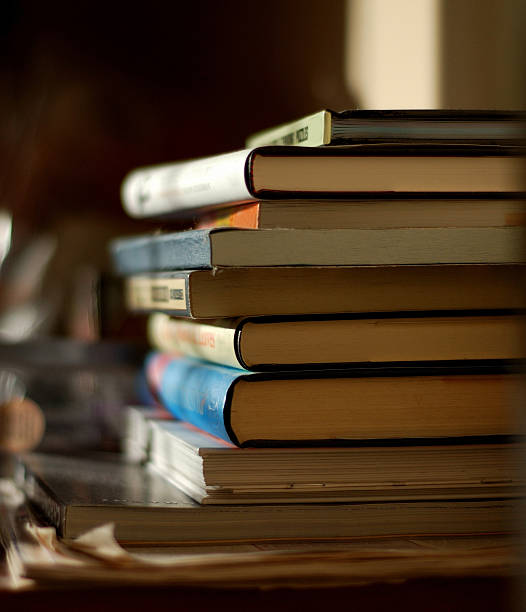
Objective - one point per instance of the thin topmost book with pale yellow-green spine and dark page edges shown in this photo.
(328, 127)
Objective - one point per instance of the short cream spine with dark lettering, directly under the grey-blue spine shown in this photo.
(158, 293)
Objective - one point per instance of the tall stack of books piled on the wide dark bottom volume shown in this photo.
(343, 324)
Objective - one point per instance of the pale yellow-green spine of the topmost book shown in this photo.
(311, 131)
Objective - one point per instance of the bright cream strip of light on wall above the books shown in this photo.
(393, 53)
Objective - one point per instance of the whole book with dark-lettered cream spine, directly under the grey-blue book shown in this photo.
(234, 292)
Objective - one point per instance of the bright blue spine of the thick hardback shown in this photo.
(195, 392)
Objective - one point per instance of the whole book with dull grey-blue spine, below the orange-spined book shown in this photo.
(231, 247)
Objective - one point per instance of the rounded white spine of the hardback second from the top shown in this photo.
(174, 188)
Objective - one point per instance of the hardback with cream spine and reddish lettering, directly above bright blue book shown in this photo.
(266, 343)
